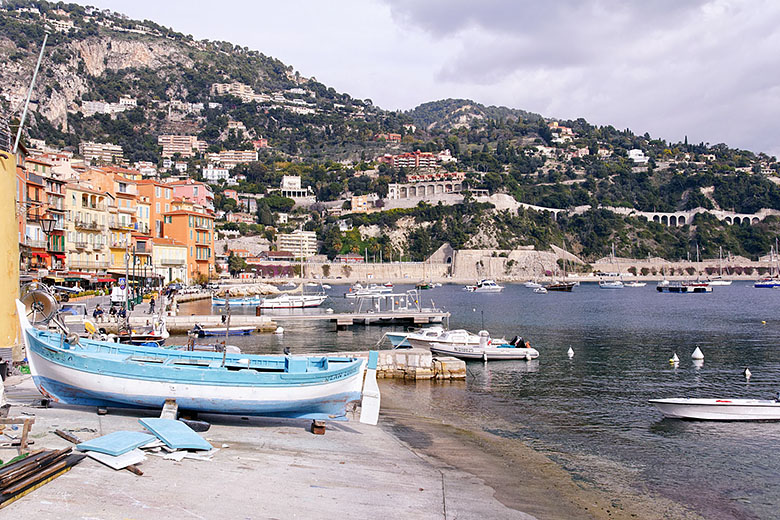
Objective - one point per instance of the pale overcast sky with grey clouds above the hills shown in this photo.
(702, 68)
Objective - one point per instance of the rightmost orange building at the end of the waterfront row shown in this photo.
(196, 231)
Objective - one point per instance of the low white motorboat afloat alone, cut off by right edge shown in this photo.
(719, 409)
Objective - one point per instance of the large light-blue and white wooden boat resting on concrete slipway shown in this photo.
(100, 373)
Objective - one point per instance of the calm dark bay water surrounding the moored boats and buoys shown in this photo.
(590, 413)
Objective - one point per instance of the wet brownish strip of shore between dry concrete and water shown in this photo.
(521, 477)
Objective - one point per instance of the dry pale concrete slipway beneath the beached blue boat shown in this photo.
(268, 469)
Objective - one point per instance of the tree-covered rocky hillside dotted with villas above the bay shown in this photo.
(109, 79)
